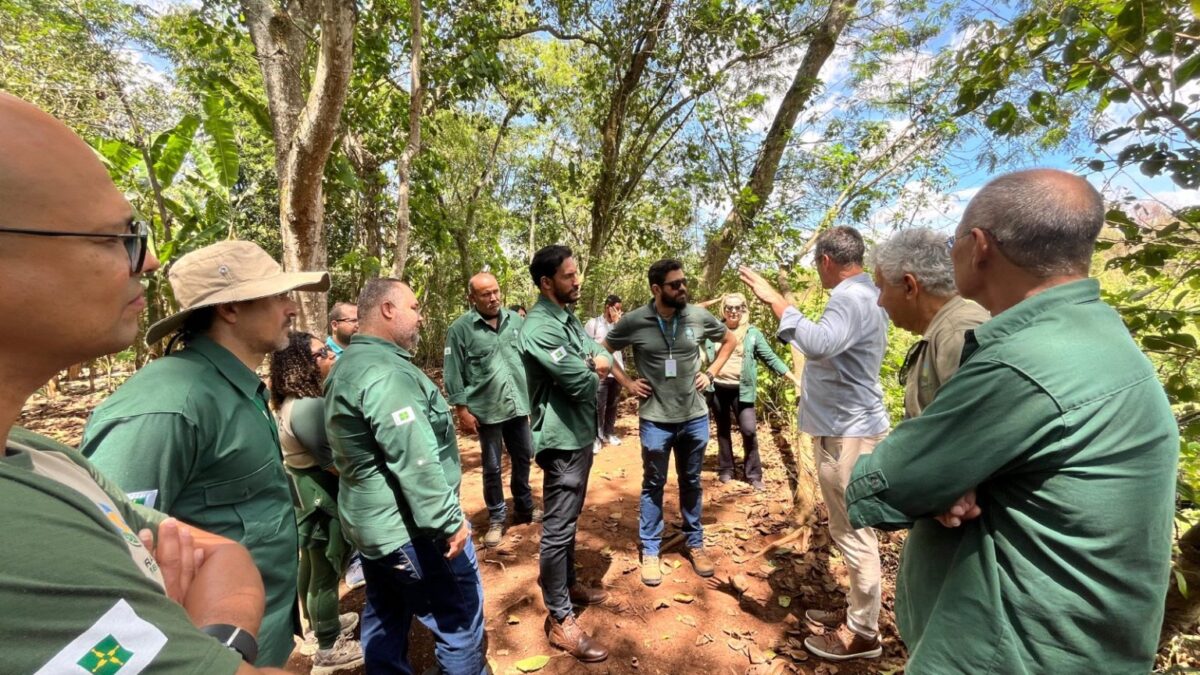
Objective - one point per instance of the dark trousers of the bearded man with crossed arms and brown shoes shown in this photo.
(565, 486)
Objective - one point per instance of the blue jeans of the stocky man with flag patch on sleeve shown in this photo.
(445, 595)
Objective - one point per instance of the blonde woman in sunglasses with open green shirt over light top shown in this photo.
(736, 387)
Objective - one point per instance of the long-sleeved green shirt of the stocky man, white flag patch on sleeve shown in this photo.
(394, 446)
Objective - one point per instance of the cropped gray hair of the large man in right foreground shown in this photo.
(1045, 222)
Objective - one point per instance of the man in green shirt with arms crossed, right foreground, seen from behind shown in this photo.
(1058, 476)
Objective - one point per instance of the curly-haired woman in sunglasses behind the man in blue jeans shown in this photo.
(298, 373)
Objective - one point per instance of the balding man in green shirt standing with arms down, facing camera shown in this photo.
(487, 385)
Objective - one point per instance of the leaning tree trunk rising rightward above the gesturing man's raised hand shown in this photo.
(763, 177)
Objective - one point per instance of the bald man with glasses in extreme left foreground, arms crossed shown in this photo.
(92, 582)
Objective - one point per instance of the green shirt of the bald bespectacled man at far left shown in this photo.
(74, 596)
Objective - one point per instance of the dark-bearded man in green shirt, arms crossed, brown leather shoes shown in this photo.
(565, 368)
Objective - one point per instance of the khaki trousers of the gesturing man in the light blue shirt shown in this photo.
(836, 457)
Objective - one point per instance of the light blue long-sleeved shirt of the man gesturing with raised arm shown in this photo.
(842, 393)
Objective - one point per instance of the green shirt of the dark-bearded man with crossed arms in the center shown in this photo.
(562, 387)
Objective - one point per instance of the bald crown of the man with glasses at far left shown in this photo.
(49, 176)
